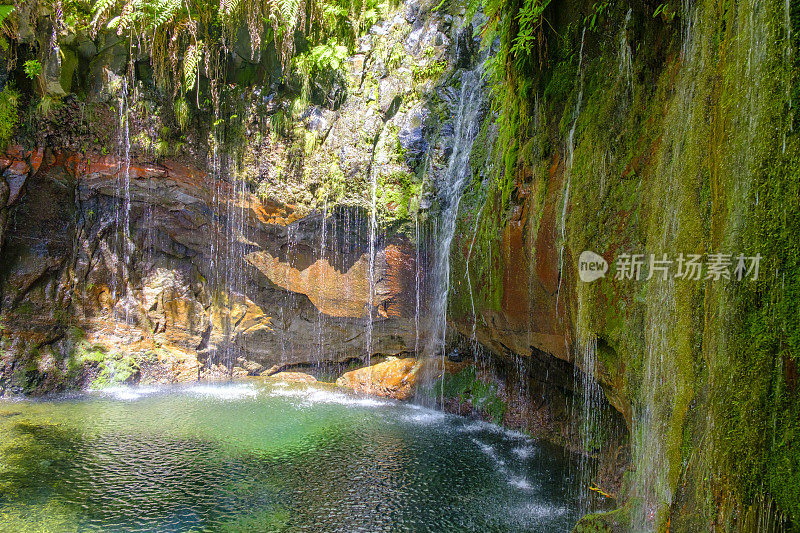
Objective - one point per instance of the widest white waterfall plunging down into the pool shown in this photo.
(450, 188)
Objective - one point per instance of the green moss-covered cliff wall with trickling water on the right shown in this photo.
(666, 129)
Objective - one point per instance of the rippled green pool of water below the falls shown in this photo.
(252, 456)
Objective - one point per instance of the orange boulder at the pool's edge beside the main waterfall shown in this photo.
(394, 378)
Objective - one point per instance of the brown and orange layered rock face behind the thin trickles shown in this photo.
(233, 280)
